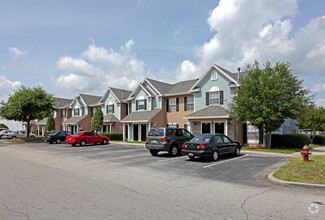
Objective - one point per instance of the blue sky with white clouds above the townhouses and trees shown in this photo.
(75, 46)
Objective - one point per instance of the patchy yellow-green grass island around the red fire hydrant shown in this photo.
(306, 172)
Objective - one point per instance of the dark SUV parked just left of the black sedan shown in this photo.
(167, 139)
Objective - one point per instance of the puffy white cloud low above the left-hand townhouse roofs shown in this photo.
(105, 68)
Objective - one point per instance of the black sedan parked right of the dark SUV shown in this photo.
(210, 145)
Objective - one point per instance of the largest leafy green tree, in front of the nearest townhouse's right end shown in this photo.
(266, 97)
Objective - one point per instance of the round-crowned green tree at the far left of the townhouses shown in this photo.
(27, 104)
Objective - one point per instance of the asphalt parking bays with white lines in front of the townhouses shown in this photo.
(244, 170)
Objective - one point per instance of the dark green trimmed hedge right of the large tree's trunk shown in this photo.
(289, 141)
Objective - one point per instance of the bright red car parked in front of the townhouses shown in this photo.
(86, 137)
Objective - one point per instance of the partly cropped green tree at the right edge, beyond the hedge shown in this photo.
(313, 120)
